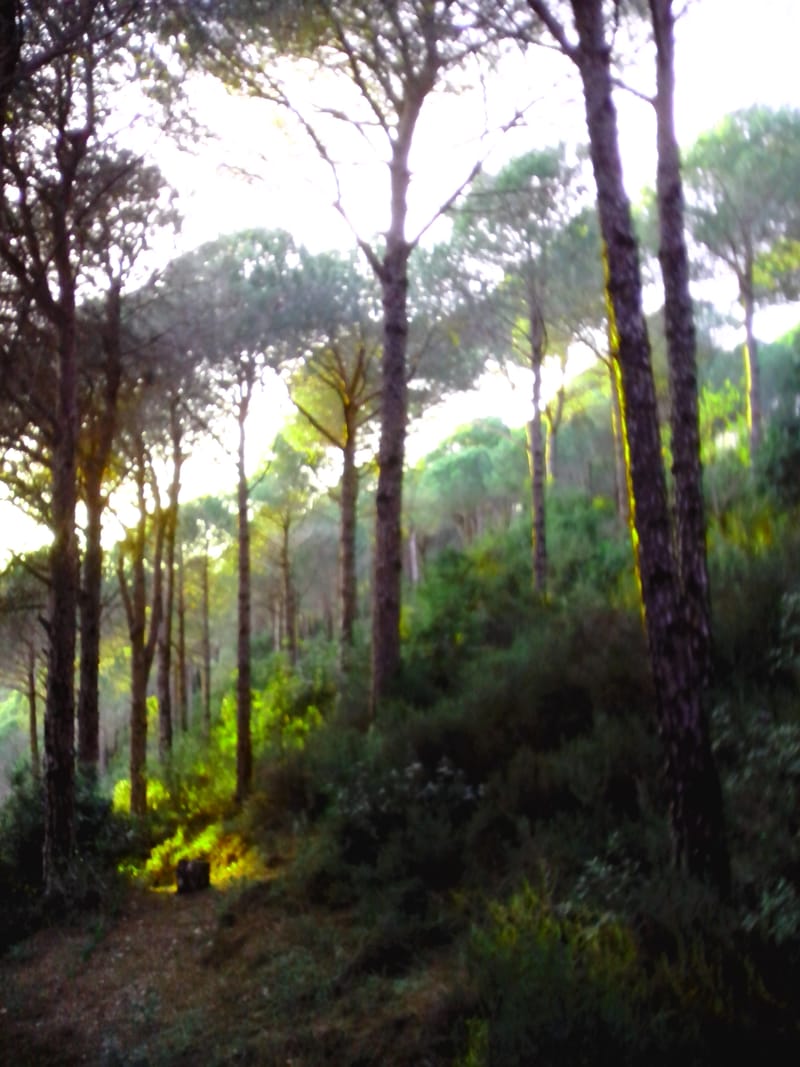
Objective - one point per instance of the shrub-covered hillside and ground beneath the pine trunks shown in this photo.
(484, 878)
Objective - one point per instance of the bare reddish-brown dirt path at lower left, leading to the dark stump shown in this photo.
(95, 993)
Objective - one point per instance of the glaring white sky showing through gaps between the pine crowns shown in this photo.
(731, 54)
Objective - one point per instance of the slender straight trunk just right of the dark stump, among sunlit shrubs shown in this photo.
(244, 684)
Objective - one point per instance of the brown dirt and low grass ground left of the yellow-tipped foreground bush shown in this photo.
(223, 977)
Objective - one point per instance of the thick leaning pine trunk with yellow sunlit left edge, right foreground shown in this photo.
(696, 802)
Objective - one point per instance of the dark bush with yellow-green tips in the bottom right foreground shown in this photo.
(563, 983)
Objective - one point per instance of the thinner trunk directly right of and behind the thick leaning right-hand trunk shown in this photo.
(681, 351)
